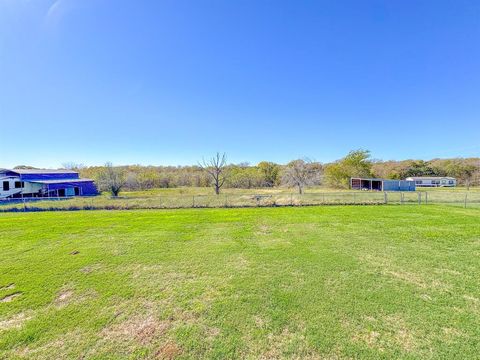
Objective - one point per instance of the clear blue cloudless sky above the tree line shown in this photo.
(167, 82)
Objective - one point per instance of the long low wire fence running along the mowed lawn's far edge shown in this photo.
(456, 198)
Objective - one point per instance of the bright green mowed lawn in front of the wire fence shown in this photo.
(315, 282)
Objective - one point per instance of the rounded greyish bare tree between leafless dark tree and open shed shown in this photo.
(301, 173)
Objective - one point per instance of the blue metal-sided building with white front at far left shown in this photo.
(21, 183)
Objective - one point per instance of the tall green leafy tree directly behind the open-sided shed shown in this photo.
(356, 164)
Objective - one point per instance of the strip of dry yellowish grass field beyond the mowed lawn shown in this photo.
(203, 197)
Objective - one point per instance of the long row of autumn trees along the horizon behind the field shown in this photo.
(217, 173)
